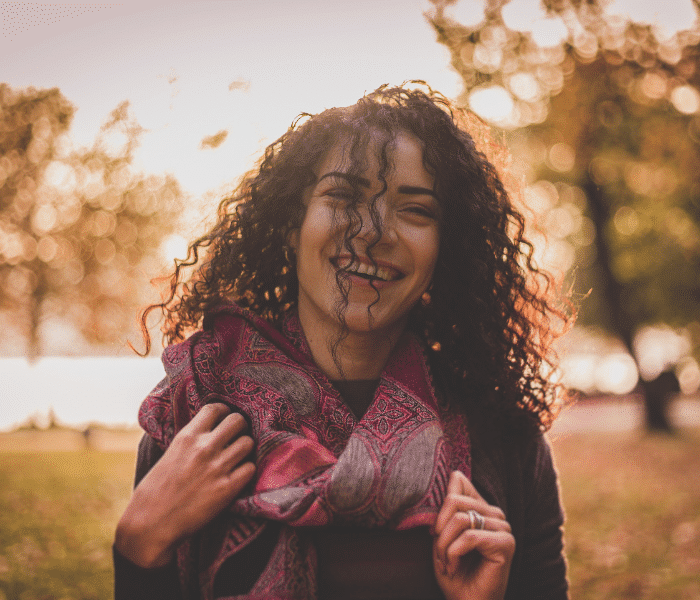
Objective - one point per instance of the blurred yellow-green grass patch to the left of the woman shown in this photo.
(57, 516)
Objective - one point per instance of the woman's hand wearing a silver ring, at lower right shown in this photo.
(469, 561)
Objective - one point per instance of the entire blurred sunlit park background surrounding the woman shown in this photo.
(122, 124)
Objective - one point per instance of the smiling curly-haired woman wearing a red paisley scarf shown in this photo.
(355, 395)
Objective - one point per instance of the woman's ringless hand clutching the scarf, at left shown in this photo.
(201, 472)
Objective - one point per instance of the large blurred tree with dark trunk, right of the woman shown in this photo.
(603, 116)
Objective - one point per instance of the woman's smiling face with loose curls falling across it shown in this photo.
(404, 256)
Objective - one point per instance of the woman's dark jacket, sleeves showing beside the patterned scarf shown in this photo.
(519, 477)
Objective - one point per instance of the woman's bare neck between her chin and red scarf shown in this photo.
(361, 355)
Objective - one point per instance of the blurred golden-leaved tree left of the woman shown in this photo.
(79, 230)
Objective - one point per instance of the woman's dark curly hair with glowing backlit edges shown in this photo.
(492, 314)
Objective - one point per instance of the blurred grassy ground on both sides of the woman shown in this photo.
(633, 507)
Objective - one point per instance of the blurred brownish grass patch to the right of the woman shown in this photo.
(633, 514)
